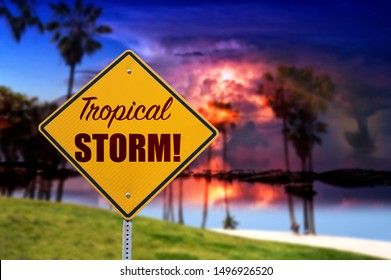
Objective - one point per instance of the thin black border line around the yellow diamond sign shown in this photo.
(81, 170)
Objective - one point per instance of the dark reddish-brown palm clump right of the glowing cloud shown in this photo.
(298, 96)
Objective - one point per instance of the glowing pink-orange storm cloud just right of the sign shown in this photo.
(233, 82)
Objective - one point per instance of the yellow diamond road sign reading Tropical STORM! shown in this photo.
(128, 133)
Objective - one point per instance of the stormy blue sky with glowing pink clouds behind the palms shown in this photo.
(219, 51)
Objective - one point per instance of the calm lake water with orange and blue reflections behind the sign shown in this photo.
(210, 203)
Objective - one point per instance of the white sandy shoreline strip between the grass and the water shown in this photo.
(369, 247)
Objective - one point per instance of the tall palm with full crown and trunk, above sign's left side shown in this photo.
(73, 31)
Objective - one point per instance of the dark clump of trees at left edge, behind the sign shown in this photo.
(21, 145)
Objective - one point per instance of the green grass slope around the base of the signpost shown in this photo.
(43, 230)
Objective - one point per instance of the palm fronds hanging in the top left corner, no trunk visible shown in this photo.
(19, 15)
